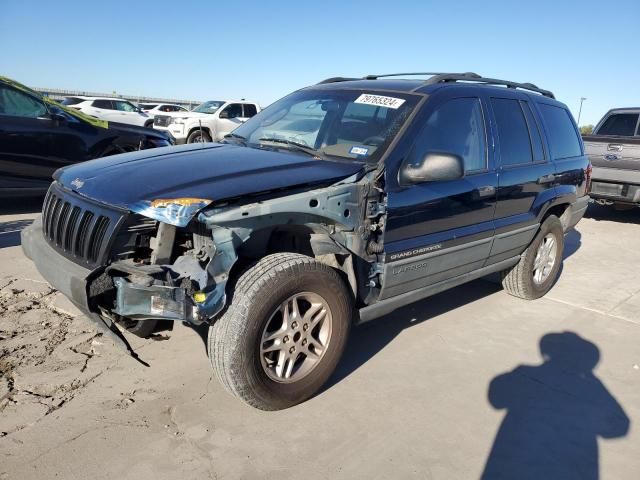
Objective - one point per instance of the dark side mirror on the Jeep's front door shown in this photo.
(434, 167)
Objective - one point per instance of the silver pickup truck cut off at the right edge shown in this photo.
(614, 151)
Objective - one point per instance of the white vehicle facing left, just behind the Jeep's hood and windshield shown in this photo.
(210, 121)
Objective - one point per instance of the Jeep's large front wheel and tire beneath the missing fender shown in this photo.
(283, 332)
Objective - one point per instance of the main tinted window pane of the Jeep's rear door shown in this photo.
(513, 134)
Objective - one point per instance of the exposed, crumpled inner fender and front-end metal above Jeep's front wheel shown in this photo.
(333, 214)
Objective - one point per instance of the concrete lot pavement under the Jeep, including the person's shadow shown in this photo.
(441, 389)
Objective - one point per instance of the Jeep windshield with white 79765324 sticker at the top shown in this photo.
(343, 123)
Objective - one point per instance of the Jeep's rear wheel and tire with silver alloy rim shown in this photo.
(536, 272)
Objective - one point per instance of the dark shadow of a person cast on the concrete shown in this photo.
(555, 413)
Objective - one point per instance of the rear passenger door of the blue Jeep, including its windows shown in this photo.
(526, 176)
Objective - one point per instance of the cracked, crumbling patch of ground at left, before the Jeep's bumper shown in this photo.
(46, 356)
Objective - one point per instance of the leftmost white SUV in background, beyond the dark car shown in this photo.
(110, 109)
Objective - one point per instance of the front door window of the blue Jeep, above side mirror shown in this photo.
(456, 127)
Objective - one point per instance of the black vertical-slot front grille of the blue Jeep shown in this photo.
(77, 228)
